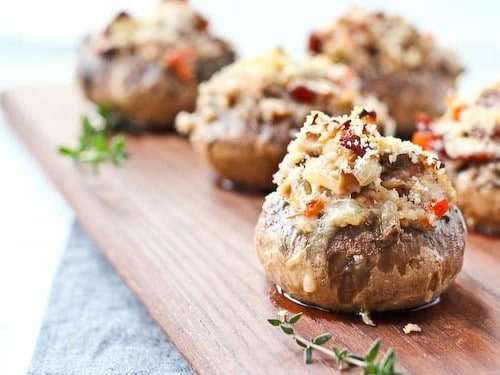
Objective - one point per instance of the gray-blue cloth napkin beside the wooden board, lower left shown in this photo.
(95, 325)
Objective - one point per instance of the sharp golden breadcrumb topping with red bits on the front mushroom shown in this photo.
(340, 171)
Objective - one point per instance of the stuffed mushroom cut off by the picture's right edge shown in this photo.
(467, 137)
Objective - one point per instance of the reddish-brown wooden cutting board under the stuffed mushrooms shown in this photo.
(185, 248)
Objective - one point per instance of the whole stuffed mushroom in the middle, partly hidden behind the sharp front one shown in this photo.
(248, 112)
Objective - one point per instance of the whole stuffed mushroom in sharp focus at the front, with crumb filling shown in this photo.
(359, 221)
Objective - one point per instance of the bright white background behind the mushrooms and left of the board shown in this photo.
(37, 44)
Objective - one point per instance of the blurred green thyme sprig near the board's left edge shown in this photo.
(96, 145)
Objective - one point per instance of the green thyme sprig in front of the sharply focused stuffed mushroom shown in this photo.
(345, 359)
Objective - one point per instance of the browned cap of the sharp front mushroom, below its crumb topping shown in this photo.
(360, 267)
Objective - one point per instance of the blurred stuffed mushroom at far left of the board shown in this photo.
(148, 70)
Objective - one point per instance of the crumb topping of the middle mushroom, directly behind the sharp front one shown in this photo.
(258, 94)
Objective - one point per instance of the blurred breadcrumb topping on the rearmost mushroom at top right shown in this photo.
(383, 43)
